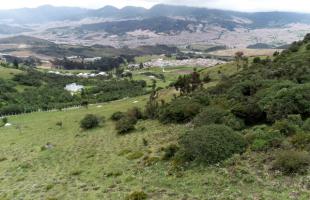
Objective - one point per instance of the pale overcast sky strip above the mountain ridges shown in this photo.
(241, 5)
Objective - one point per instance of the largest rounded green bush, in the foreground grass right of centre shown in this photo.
(210, 144)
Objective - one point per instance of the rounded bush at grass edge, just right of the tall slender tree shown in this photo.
(180, 110)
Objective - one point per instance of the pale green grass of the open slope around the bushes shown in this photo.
(99, 164)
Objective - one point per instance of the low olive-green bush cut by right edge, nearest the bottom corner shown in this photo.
(291, 162)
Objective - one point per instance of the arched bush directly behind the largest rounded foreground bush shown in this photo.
(215, 115)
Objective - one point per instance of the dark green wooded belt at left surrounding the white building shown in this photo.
(43, 91)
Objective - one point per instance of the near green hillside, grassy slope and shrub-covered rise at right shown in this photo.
(183, 152)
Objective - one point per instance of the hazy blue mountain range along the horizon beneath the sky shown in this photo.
(211, 16)
